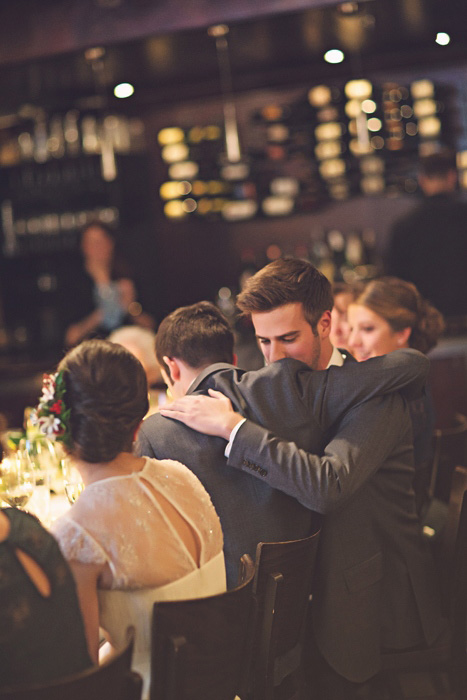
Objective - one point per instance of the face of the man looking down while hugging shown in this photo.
(285, 332)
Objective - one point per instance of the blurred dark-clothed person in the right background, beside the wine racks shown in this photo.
(428, 246)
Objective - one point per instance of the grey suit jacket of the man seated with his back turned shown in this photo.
(252, 510)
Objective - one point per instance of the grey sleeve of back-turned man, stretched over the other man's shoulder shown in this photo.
(330, 394)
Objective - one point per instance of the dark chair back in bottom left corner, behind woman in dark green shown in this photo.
(113, 680)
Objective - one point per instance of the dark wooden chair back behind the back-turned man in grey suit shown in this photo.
(283, 585)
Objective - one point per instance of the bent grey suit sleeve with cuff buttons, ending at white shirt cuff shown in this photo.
(366, 436)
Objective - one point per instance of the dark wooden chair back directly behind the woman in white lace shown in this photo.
(201, 648)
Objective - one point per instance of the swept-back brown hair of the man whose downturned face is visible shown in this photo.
(287, 281)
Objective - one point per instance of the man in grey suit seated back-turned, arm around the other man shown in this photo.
(194, 347)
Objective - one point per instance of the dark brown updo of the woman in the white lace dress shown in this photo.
(106, 390)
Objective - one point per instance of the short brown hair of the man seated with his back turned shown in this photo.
(199, 335)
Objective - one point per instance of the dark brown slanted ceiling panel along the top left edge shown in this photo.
(31, 29)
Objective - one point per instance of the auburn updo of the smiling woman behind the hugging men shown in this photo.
(402, 306)
